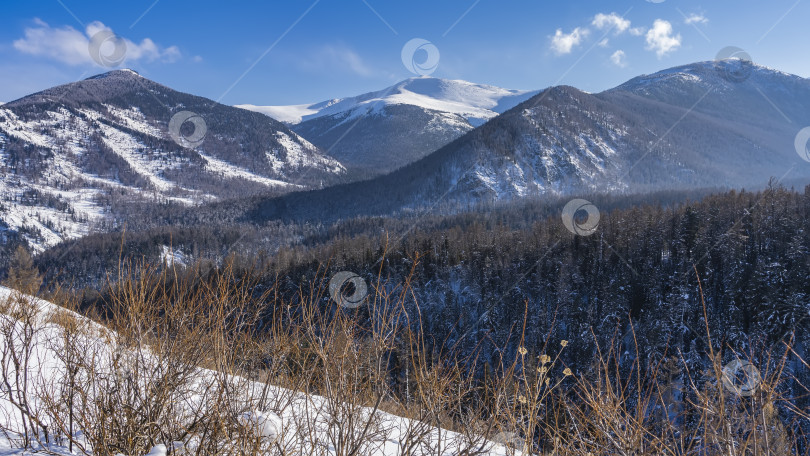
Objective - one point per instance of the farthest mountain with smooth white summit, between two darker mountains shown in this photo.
(378, 132)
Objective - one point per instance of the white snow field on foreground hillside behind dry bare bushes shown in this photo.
(274, 417)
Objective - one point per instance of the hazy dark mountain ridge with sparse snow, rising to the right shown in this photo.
(698, 125)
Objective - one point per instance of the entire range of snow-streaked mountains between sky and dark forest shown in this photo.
(94, 154)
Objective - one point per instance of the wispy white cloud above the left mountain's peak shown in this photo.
(68, 45)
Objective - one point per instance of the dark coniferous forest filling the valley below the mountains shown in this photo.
(678, 280)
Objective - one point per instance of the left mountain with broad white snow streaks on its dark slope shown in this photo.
(76, 157)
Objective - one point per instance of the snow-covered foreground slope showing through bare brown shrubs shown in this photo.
(280, 416)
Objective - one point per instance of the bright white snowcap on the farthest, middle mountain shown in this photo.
(475, 102)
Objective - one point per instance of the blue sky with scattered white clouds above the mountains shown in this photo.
(300, 51)
